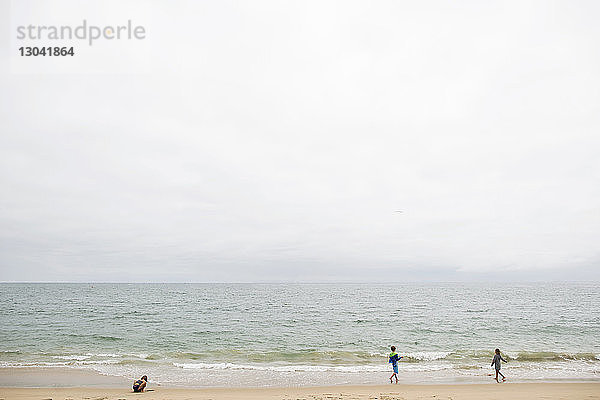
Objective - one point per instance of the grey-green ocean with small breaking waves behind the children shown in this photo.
(200, 335)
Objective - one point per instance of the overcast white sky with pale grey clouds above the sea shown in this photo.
(274, 141)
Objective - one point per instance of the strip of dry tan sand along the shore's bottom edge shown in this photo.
(455, 392)
